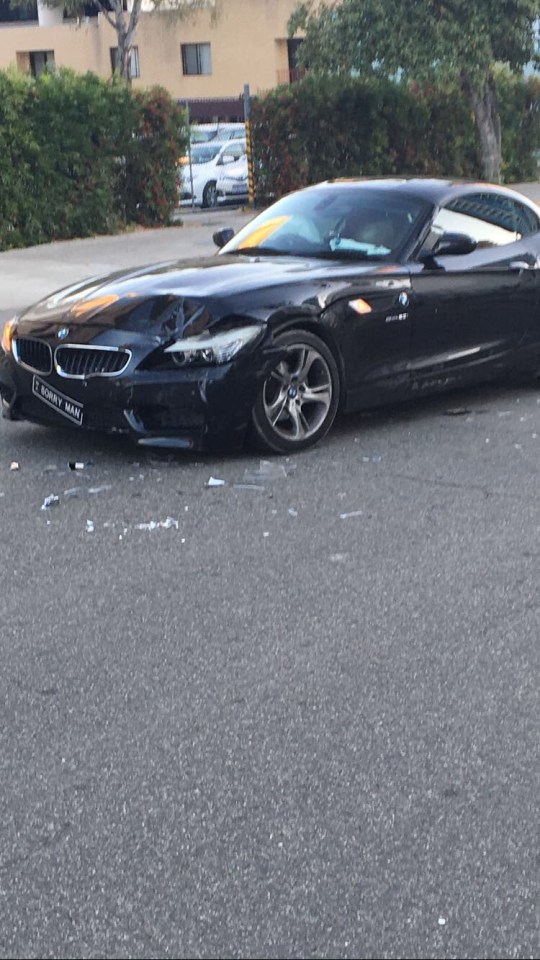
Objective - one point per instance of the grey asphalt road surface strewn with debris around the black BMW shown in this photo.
(293, 715)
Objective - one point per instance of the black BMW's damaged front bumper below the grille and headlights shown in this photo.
(191, 408)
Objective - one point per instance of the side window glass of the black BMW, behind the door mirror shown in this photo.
(491, 219)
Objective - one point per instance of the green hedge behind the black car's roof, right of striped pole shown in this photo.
(321, 128)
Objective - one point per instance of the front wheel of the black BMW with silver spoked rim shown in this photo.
(298, 402)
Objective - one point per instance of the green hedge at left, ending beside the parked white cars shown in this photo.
(80, 156)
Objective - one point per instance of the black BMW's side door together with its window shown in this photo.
(472, 312)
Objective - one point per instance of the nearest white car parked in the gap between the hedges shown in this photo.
(201, 169)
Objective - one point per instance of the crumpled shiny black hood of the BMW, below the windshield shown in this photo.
(185, 297)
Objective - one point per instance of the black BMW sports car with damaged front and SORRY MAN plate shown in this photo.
(342, 296)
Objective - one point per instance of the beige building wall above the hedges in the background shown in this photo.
(248, 41)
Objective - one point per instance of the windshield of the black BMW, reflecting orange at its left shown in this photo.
(338, 221)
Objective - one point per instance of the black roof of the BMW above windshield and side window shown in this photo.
(434, 190)
